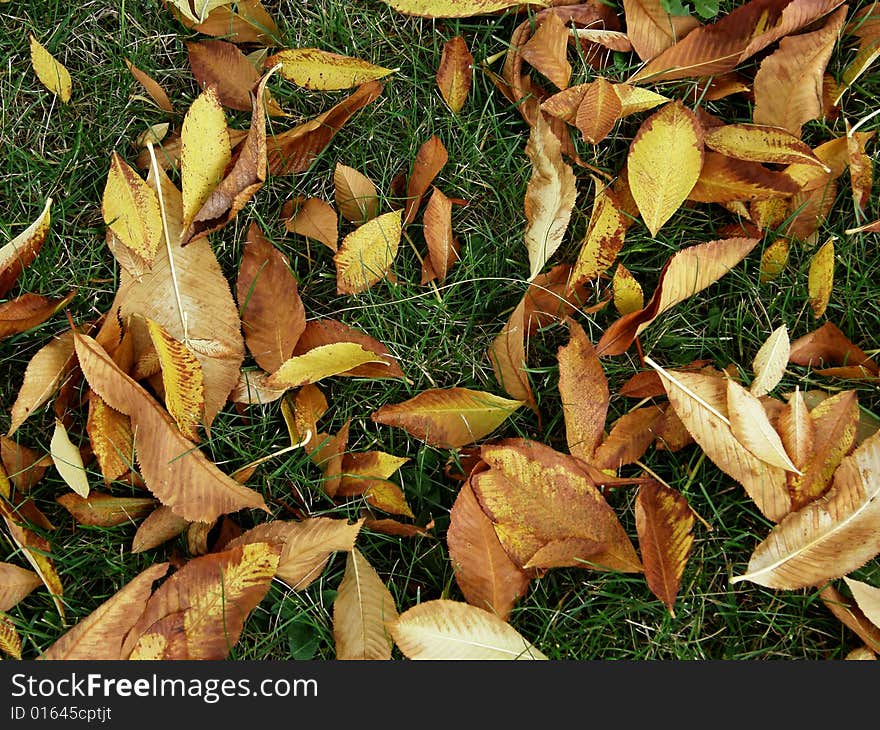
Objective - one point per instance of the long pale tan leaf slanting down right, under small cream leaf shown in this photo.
(700, 401)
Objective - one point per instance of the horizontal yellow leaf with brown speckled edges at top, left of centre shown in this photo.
(313, 68)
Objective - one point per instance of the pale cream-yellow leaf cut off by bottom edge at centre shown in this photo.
(447, 630)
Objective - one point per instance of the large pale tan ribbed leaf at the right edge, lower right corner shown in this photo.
(830, 537)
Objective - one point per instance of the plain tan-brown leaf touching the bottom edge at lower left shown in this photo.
(100, 635)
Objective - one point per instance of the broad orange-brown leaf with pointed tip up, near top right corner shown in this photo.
(788, 84)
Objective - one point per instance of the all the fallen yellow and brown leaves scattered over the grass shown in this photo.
(181, 341)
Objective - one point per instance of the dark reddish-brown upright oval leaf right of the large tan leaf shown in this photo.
(272, 314)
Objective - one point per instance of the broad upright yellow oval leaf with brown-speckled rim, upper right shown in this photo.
(658, 187)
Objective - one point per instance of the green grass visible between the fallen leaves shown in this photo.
(63, 151)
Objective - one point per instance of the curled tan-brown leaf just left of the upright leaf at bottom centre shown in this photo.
(306, 545)
